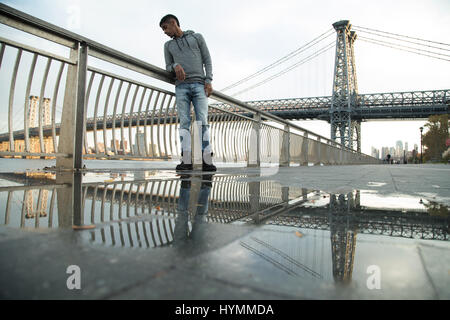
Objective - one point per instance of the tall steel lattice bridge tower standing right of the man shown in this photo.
(344, 129)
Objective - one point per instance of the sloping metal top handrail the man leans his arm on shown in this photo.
(54, 33)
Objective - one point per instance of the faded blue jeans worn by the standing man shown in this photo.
(185, 94)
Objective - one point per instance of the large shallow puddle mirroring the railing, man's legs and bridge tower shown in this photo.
(299, 237)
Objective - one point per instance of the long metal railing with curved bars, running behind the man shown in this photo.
(109, 116)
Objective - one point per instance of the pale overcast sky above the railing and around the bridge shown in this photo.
(244, 36)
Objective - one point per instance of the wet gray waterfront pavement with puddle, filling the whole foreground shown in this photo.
(322, 232)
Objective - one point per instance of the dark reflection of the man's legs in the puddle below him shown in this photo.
(192, 206)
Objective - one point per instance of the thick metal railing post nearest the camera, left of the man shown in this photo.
(72, 120)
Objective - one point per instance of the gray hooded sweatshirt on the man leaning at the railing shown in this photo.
(191, 52)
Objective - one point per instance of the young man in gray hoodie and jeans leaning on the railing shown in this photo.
(188, 57)
